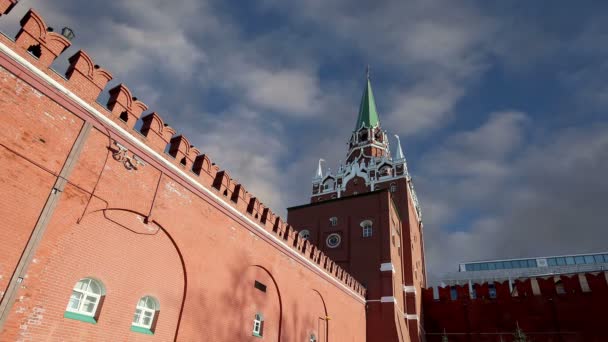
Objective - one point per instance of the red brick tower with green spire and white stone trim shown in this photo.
(366, 218)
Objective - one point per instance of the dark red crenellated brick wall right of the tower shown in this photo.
(549, 317)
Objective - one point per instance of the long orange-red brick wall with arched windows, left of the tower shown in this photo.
(145, 231)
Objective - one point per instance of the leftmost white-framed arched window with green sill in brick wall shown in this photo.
(84, 301)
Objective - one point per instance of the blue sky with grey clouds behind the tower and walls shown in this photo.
(500, 106)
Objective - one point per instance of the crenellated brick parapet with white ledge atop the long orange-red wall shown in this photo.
(85, 80)
